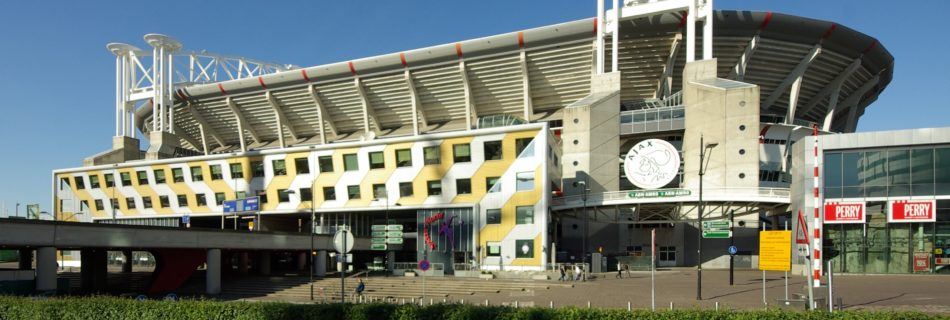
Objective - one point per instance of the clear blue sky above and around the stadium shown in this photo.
(57, 79)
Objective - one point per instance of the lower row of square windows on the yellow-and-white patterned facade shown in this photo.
(525, 182)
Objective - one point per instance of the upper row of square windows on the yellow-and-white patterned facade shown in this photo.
(431, 156)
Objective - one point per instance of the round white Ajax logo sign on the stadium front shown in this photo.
(651, 163)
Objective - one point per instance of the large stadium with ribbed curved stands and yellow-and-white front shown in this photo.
(515, 151)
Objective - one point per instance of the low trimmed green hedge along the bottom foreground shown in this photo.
(118, 308)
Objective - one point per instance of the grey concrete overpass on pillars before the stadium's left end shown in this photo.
(178, 251)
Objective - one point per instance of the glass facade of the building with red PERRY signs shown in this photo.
(879, 175)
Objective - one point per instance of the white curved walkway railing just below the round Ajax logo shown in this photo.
(782, 194)
